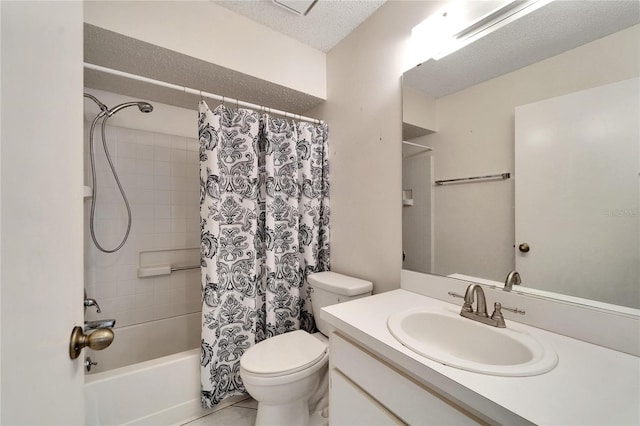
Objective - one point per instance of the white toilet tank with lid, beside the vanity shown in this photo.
(330, 288)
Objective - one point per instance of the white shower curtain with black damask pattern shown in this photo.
(264, 218)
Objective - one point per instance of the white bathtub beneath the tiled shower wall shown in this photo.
(150, 375)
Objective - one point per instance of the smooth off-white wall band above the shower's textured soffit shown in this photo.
(207, 31)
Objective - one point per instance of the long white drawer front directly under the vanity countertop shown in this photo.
(409, 401)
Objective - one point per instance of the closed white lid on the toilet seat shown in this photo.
(285, 353)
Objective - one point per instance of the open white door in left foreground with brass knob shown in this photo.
(41, 198)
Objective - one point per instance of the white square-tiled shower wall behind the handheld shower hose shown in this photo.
(159, 174)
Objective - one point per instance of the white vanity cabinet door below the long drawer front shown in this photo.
(351, 406)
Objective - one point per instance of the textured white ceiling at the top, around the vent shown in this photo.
(323, 27)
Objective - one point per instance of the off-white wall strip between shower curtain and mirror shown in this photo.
(364, 113)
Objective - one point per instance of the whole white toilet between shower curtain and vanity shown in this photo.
(287, 373)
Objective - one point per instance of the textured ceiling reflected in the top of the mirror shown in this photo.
(548, 31)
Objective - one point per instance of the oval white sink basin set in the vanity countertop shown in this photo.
(446, 337)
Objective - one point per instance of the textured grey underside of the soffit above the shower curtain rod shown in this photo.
(116, 51)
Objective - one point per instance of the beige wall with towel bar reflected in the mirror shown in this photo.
(474, 223)
